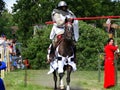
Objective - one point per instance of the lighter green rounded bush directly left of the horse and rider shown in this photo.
(36, 49)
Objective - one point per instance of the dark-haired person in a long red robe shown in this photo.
(109, 68)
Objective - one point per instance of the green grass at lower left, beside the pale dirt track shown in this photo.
(15, 80)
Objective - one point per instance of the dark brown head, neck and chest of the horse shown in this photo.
(66, 43)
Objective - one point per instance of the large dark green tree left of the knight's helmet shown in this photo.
(28, 13)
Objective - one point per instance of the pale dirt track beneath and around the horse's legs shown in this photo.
(43, 79)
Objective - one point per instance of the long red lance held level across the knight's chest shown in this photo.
(89, 18)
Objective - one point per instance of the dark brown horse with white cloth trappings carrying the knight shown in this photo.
(65, 57)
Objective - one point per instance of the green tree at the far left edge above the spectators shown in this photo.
(5, 20)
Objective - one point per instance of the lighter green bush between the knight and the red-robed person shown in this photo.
(91, 41)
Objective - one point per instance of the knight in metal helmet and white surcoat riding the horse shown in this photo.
(59, 16)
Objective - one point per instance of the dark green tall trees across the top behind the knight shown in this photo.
(30, 12)
